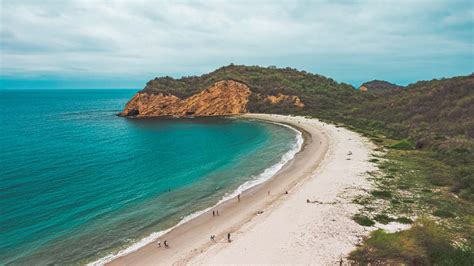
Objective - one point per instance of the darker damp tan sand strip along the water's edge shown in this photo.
(193, 235)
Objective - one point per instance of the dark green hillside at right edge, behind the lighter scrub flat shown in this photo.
(437, 116)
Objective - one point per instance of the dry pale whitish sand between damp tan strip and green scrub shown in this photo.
(295, 231)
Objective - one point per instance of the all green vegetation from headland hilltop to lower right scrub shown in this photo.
(425, 134)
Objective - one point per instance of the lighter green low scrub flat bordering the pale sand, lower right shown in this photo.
(405, 187)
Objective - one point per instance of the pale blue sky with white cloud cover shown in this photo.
(123, 44)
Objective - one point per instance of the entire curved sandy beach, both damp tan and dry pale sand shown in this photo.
(289, 230)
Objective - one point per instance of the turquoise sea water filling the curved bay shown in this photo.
(78, 183)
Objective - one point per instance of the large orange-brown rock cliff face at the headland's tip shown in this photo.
(225, 97)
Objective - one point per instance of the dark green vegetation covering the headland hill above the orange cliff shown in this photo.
(319, 94)
